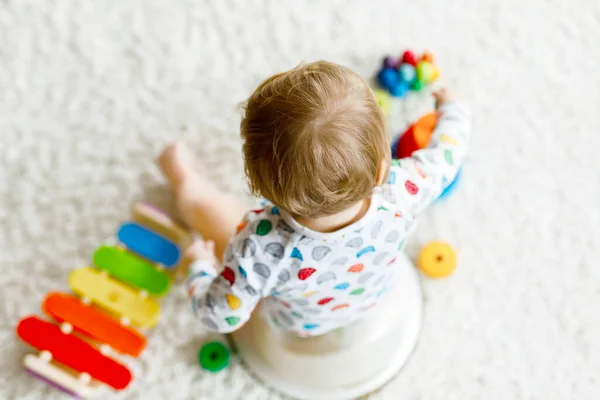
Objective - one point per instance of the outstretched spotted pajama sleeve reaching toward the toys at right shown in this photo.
(416, 181)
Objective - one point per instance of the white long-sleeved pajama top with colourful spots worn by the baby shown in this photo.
(312, 282)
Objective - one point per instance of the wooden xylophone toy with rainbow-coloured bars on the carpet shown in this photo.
(78, 344)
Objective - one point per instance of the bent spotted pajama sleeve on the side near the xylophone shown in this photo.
(224, 301)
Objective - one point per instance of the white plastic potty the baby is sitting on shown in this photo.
(346, 363)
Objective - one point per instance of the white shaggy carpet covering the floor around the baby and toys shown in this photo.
(90, 91)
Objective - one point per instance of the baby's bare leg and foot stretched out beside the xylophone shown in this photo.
(211, 212)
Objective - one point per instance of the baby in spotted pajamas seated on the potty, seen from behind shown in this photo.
(320, 249)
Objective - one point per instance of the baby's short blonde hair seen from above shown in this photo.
(314, 138)
